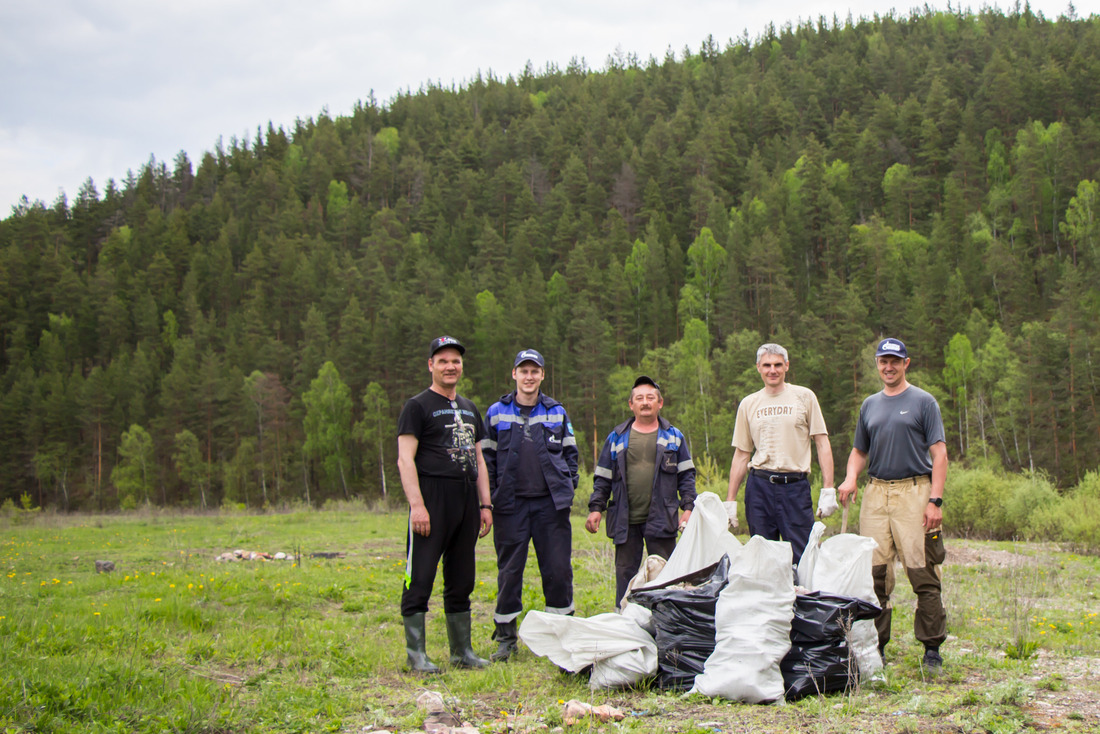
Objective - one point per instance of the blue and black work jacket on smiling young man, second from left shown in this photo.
(555, 446)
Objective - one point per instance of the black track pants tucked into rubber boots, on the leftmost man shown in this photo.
(456, 520)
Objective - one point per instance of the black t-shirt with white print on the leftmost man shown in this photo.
(447, 431)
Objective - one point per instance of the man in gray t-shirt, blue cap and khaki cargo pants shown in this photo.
(900, 441)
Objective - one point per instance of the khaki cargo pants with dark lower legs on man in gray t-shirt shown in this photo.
(893, 513)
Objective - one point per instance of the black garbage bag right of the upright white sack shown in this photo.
(820, 660)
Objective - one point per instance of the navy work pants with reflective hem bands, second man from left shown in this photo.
(538, 521)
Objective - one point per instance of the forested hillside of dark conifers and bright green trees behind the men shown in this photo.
(246, 327)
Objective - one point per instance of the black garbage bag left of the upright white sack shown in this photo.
(685, 623)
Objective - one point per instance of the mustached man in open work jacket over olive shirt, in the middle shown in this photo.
(645, 474)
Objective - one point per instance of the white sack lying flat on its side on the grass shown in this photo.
(620, 652)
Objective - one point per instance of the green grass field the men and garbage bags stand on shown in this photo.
(175, 642)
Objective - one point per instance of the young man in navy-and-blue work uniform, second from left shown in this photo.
(531, 454)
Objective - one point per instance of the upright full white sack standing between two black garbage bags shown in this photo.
(753, 623)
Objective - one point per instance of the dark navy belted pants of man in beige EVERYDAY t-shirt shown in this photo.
(780, 512)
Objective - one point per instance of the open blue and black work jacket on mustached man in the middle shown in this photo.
(674, 483)
